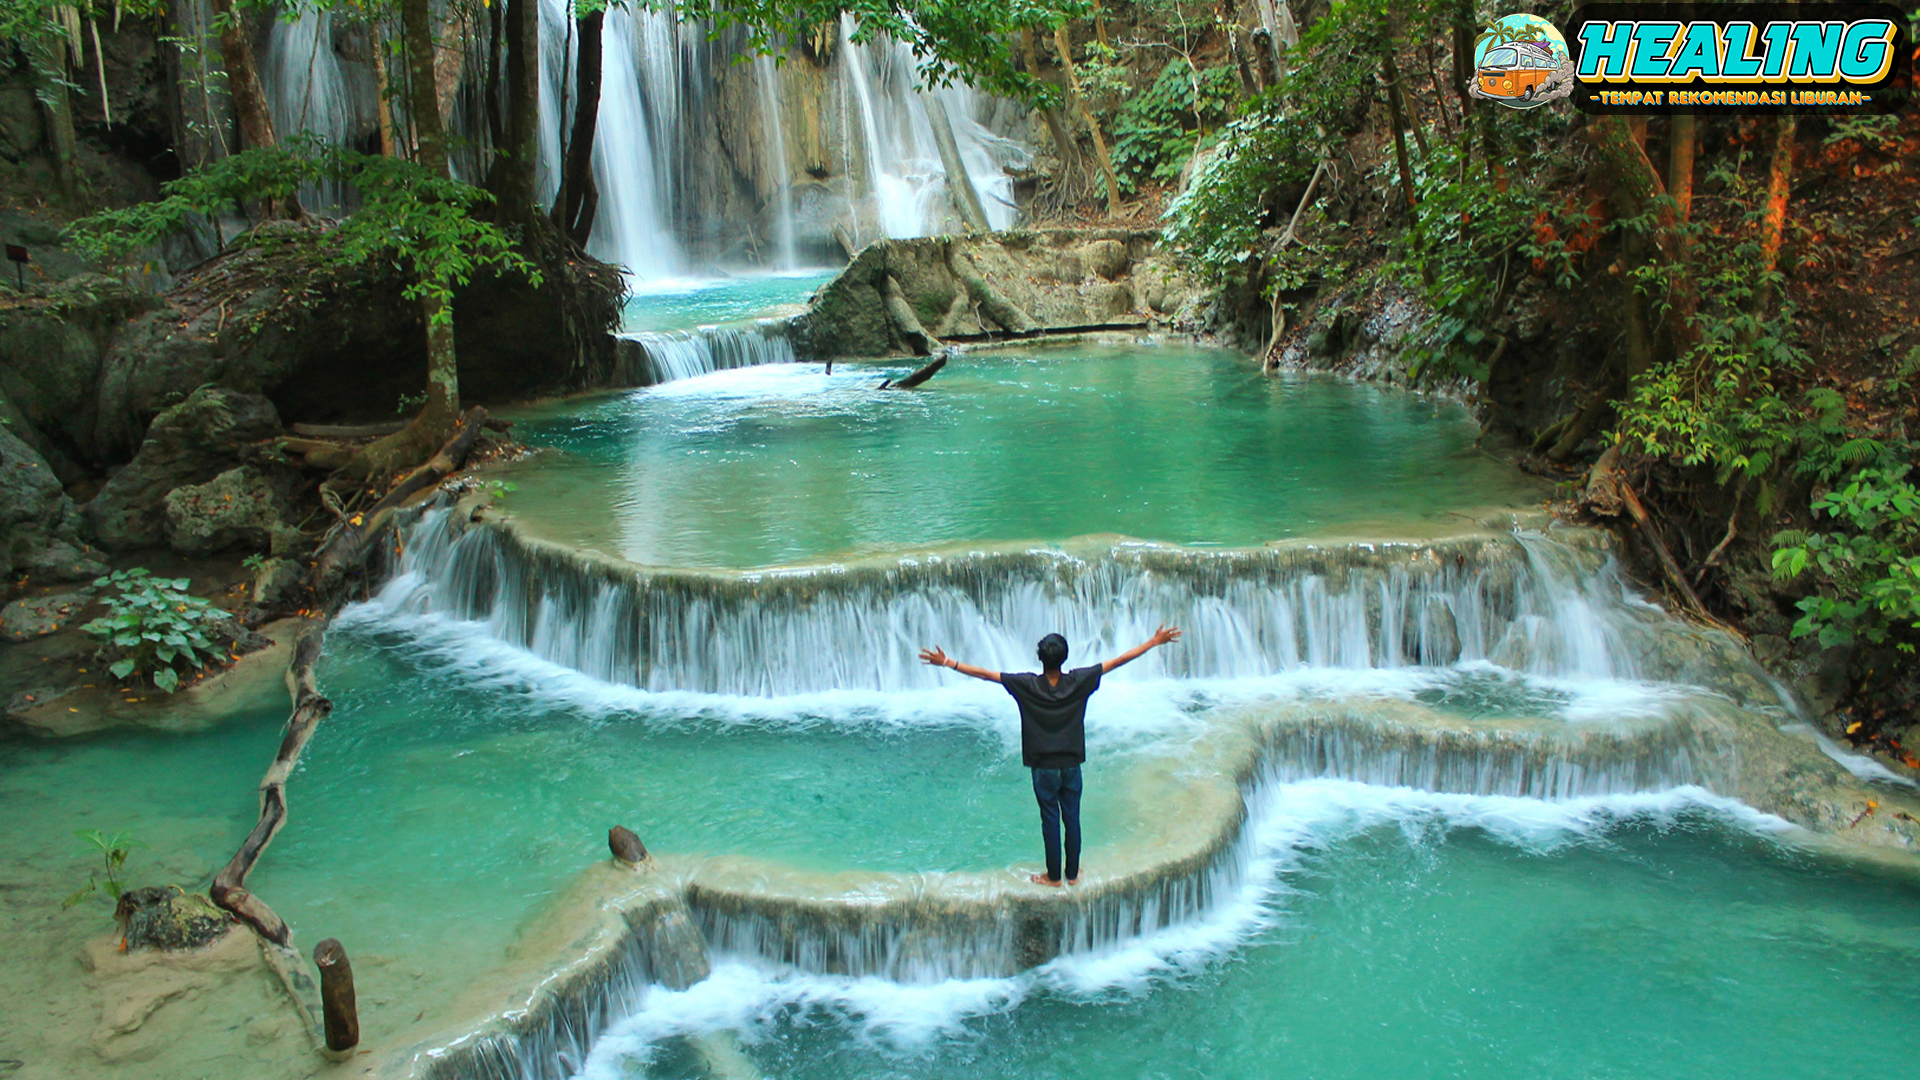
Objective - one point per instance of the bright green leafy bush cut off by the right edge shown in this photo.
(1871, 566)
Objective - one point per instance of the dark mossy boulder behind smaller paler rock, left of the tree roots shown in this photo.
(187, 445)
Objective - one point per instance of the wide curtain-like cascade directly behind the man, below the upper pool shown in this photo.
(1525, 604)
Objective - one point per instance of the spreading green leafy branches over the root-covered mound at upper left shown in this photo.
(410, 218)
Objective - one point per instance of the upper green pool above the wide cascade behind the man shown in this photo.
(1178, 445)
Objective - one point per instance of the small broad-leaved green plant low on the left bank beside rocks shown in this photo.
(155, 627)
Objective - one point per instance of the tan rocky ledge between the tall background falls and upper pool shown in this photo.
(1026, 282)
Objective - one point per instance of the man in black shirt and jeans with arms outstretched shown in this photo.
(1053, 733)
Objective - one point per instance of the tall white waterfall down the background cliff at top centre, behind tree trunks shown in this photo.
(658, 160)
